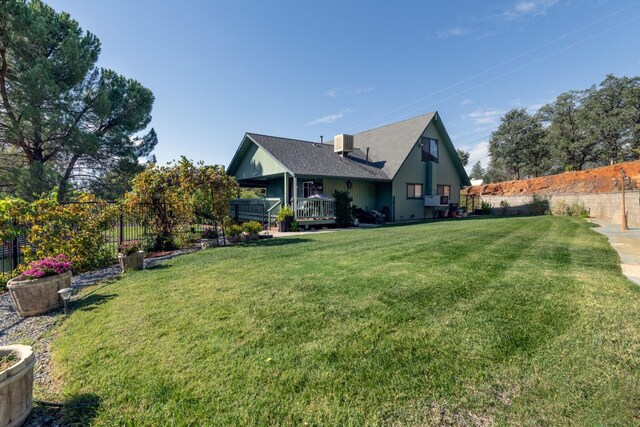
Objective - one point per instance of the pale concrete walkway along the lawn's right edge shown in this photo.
(627, 243)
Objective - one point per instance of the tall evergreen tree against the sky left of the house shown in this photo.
(68, 120)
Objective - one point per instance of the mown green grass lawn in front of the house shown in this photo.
(495, 321)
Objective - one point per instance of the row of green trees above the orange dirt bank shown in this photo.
(580, 129)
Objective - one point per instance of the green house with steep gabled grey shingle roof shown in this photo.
(406, 170)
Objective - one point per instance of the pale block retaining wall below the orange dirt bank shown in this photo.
(600, 205)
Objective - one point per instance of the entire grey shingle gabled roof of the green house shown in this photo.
(389, 147)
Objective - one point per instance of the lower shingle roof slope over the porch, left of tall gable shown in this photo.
(308, 158)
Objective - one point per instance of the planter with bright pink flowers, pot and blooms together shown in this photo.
(35, 290)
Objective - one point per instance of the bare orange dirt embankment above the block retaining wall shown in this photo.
(598, 180)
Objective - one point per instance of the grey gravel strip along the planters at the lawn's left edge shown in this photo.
(33, 331)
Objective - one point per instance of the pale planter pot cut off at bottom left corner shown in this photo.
(16, 385)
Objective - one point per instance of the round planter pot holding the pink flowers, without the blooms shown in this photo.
(37, 296)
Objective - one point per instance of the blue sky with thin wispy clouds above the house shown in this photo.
(305, 69)
